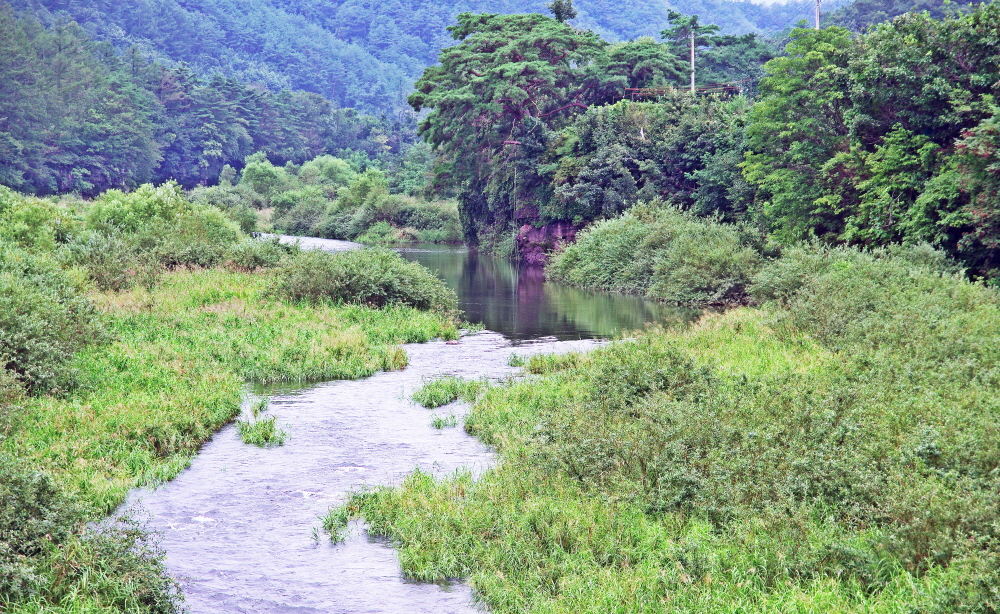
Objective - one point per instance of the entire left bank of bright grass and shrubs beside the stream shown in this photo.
(113, 376)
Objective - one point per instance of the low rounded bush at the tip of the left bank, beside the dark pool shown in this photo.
(369, 277)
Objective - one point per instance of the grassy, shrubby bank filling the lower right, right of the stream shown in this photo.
(833, 451)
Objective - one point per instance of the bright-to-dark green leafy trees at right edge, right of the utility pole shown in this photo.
(883, 138)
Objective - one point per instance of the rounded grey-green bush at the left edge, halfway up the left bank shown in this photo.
(44, 319)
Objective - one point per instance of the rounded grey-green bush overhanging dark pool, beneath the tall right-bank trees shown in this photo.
(662, 253)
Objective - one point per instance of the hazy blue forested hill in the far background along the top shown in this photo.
(363, 54)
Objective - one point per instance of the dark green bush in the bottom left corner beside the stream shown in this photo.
(49, 558)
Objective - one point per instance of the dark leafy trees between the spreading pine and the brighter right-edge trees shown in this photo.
(678, 149)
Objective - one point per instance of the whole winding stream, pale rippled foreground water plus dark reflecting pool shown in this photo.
(240, 526)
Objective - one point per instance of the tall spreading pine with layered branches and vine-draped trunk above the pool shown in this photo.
(529, 75)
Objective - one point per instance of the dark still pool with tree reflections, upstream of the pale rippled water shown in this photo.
(517, 302)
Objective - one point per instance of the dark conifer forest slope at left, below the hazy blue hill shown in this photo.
(77, 117)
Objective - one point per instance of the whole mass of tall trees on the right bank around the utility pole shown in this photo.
(884, 137)
